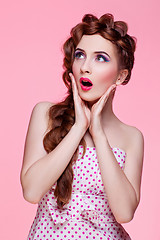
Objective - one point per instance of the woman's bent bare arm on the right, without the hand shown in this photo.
(122, 187)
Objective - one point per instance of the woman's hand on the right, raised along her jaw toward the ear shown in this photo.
(96, 110)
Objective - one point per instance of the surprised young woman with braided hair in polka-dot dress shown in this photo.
(81, 164)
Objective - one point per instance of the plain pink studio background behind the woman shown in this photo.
(31, 37)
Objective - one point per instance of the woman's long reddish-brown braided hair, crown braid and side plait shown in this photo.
(62, 115)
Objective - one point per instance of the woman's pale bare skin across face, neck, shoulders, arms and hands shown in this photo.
(99, 126)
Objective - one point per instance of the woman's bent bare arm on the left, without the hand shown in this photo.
(41, 170)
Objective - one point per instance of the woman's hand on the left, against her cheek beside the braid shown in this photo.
(82, 112)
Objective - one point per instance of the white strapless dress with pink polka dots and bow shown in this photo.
(87, 215)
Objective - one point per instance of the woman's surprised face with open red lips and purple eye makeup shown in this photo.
(95, 66)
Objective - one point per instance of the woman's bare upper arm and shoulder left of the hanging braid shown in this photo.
(37, 128)
